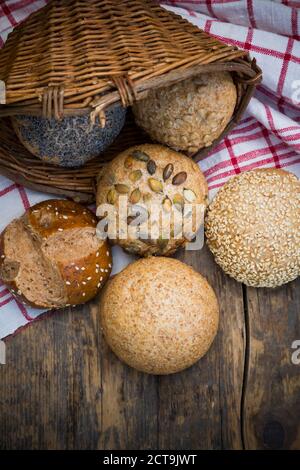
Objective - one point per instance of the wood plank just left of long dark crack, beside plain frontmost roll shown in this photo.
(200, 407)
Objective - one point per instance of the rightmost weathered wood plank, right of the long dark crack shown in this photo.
(272, 393)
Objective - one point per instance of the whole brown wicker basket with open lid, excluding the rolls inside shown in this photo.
(75, 58)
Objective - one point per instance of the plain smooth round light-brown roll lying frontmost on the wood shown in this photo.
(159, 315)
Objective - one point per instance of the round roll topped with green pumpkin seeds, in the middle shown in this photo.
(154, 178)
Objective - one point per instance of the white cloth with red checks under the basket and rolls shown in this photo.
(267, 136)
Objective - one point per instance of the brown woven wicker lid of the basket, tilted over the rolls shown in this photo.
(74, 57)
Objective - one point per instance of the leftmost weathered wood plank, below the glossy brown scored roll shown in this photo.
(50, 388)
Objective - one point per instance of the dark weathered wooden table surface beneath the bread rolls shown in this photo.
(63, 389)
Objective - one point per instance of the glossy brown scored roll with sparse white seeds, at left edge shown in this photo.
(51, 256)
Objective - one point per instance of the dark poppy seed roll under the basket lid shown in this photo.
(72, 141)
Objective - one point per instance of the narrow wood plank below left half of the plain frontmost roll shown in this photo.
(129, 406)
